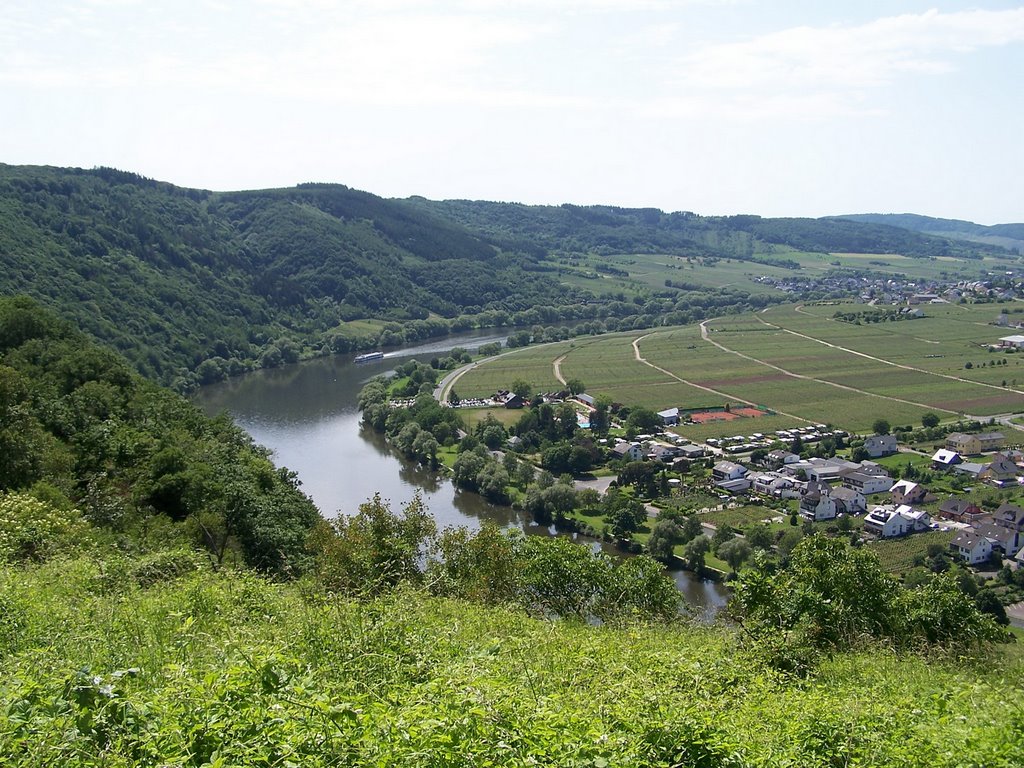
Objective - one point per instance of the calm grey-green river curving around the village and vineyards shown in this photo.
(307, 415)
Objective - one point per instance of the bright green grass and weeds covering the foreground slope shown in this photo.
(230, 668)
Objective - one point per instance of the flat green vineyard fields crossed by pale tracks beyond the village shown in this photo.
(797, 362)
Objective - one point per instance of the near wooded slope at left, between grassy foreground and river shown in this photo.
(110, 460)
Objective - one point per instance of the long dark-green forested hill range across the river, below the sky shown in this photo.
(193, 286)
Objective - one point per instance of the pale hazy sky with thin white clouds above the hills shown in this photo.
(782, 108)
